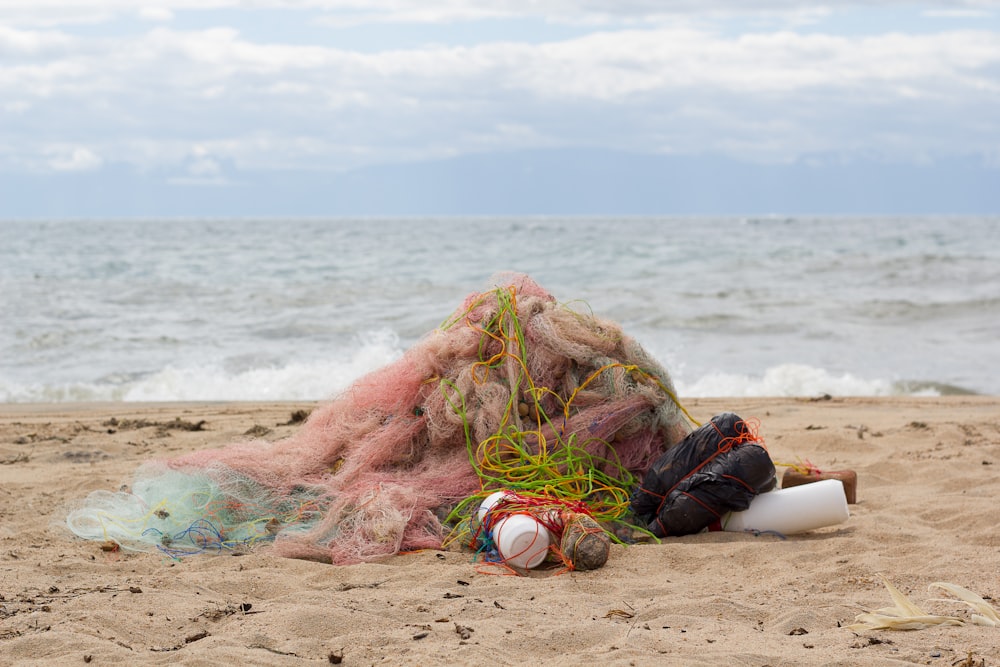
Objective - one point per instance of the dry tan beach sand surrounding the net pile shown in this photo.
(927, 511)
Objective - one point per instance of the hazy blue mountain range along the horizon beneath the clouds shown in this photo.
(546, 182)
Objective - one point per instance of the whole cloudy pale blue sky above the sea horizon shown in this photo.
(340, 107)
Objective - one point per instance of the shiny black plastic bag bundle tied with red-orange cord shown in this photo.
(718, 468)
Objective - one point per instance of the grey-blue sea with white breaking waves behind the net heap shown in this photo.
(296, 309)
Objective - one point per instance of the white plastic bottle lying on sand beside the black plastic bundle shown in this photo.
(797, 509)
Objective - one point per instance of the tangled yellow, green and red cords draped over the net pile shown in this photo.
(548, 472)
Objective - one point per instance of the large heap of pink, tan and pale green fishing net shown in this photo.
(512, 391)
